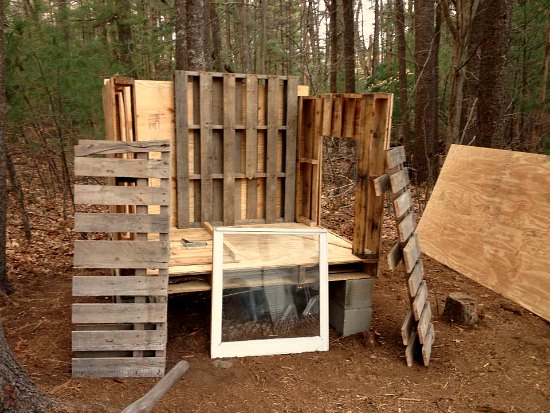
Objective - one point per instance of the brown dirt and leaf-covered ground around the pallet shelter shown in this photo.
(500, 365)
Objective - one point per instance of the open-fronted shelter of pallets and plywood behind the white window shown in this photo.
(248, 152)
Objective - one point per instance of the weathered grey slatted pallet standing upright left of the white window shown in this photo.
(126, 337)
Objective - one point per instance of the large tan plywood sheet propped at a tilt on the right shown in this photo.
(489, 219)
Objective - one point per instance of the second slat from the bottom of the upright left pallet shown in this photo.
(118, 340)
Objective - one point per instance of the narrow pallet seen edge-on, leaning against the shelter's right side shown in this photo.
(417, 329)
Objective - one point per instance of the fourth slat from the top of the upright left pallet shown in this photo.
(121, 222)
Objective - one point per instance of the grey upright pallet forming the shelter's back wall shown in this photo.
(235, 144)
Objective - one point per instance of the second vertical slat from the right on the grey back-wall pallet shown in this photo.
(270, 205)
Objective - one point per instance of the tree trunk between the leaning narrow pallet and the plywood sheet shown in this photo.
(425, 148)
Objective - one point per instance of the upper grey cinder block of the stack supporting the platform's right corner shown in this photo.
(351, 294)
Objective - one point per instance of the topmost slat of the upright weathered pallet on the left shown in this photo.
(92, 147)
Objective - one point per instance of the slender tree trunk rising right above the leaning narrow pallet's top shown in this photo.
(405, 129)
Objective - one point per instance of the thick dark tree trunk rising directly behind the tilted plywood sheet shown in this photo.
(492, 92)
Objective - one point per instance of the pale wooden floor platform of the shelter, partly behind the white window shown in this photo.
(191, 267)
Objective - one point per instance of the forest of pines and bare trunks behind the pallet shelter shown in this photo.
(473, 72)
